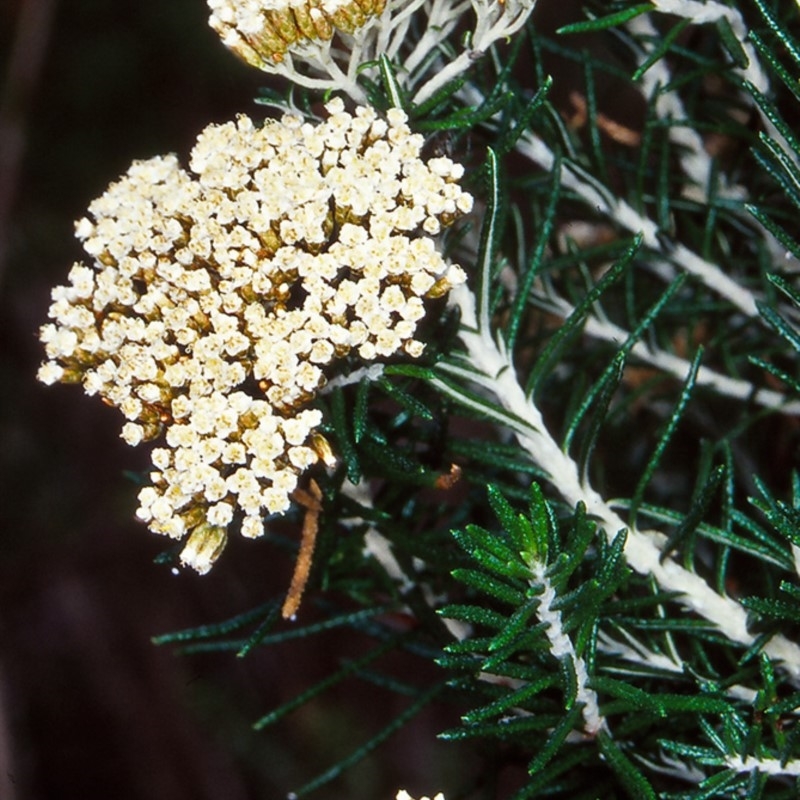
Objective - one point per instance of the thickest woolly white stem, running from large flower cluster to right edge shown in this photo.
(493, 370)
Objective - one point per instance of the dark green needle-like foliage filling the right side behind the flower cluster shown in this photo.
(597, 276)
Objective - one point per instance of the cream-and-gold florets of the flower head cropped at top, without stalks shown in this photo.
(262, 31)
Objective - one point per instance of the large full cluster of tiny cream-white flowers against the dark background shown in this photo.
(216, 300)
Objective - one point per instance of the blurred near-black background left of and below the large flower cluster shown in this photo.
(89, 708)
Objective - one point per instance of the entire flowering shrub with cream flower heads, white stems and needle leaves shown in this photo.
(604, 567)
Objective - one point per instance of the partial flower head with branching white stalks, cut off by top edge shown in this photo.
(327, 44)
